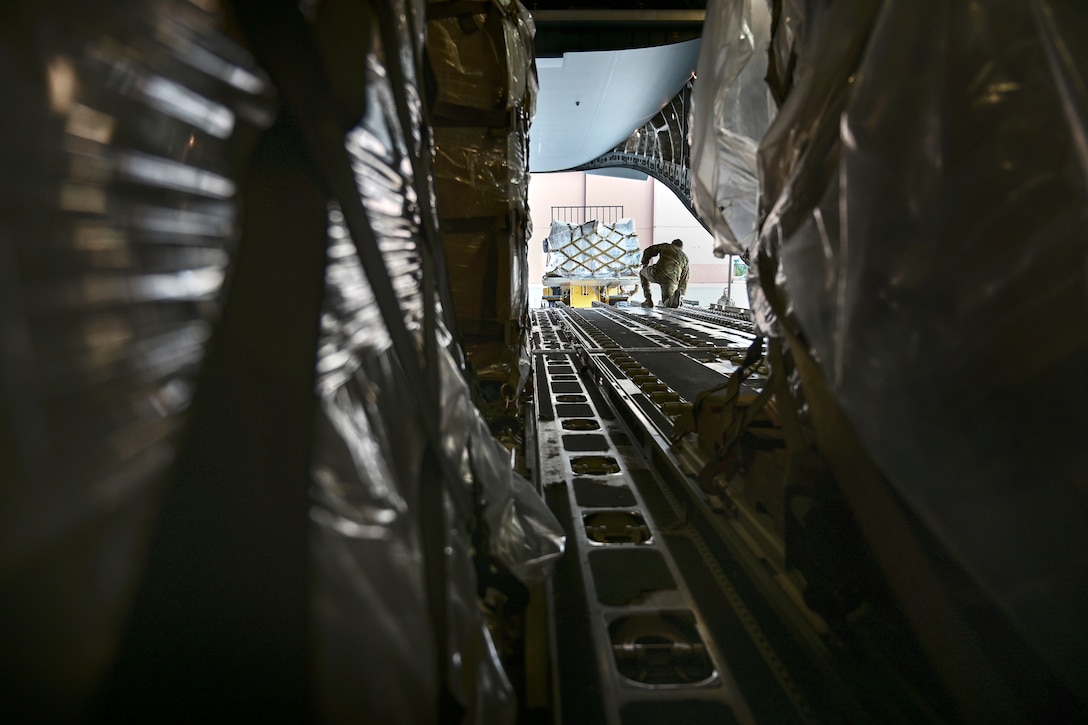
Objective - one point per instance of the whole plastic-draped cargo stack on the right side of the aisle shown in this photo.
(918, 251)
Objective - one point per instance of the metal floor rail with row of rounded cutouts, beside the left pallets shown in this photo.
(632, 642)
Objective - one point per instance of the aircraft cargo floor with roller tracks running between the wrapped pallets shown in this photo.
(674, 605)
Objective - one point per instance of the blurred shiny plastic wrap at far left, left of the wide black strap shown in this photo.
(120, 143)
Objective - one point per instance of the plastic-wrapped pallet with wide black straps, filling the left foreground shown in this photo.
(288, 545)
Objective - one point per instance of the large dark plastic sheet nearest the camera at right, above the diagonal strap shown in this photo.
(925, 194)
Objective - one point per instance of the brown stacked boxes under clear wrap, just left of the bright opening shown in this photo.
(483, 59)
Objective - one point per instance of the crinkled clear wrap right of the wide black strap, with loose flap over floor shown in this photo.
(368, 539)
